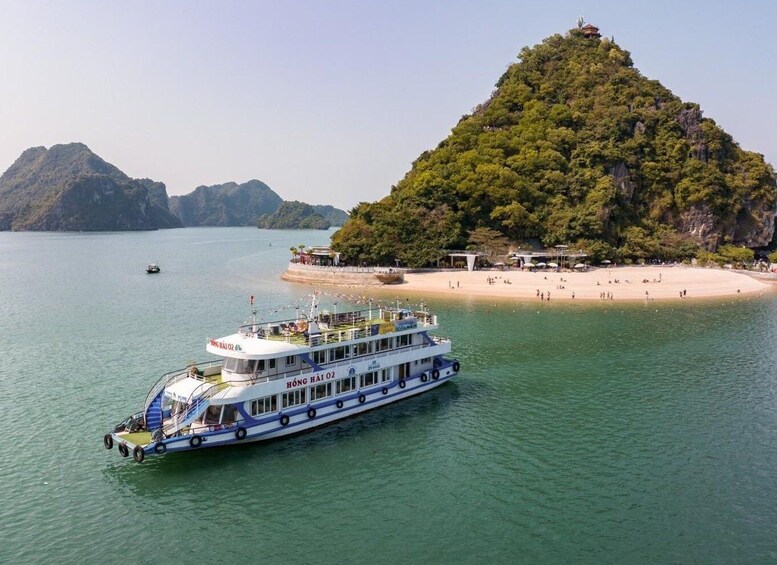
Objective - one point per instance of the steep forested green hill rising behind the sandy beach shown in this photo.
(574, 147)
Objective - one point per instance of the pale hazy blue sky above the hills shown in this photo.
(331, 101)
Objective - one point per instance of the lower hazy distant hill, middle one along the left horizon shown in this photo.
(228, 204)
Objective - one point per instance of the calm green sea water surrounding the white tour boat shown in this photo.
(574, 433)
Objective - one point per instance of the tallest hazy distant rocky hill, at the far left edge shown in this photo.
(69, 188)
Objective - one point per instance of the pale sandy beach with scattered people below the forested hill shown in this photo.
(646, 283)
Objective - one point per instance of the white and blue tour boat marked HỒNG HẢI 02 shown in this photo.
(274, 379)
